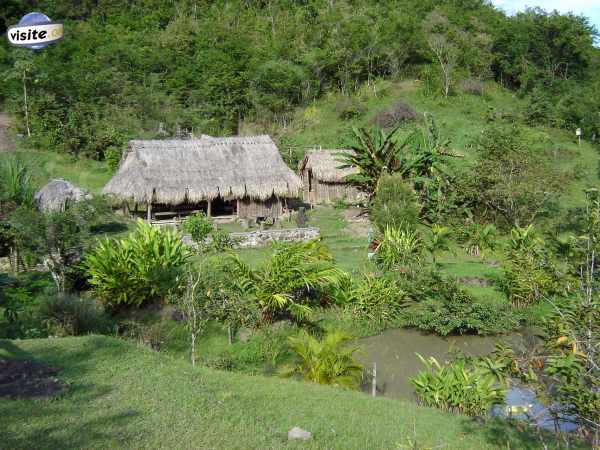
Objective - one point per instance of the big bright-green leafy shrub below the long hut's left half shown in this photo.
(142, 267)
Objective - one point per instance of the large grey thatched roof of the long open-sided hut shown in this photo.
(193, 170)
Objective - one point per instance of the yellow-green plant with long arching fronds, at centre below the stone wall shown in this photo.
(290, 281)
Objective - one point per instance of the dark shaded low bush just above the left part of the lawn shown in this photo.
(70, 315)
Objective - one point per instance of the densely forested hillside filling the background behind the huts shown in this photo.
(148, 68)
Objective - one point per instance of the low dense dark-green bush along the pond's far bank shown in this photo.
(445, 308)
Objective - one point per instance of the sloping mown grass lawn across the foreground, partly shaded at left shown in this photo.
(124, 396)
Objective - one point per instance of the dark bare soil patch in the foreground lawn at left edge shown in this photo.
(28, 379)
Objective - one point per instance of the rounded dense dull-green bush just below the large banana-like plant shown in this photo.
(395, 204)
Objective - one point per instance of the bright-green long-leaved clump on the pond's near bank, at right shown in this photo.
(462, 386)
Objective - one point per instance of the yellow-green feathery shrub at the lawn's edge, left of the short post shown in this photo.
(325, 361)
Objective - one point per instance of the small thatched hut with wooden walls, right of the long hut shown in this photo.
(322, 179)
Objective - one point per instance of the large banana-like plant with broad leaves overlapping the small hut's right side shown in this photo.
(375, 153)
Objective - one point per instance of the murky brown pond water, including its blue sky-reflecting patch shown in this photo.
(394, 352)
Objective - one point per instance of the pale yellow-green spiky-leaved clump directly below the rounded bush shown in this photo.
(399, 249)
